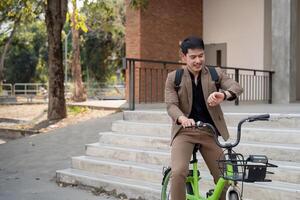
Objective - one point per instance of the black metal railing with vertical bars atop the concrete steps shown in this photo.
(152, 75)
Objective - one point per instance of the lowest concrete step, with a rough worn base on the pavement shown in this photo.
(127, 188)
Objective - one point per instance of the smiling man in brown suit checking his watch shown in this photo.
(196, 100)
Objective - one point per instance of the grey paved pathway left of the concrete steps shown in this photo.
(28, 165)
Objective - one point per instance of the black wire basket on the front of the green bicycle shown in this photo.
(253, 169)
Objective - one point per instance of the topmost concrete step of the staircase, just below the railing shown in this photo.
(232, 119)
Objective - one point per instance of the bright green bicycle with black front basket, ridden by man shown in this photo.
(234, 168)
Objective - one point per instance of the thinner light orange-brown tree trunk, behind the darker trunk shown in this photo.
(79, 93)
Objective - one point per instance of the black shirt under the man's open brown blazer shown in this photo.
(199, 110)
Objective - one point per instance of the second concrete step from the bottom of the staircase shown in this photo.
(287, 172)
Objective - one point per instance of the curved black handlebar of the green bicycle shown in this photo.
(264, 117)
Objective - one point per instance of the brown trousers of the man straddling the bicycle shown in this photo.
(182, 149)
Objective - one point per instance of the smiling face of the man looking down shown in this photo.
(194, 59)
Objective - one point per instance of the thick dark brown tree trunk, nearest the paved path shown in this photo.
(55, 18)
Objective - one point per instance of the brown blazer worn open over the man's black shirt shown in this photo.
(181, 103)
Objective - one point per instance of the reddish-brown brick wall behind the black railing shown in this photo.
(155, 34)
